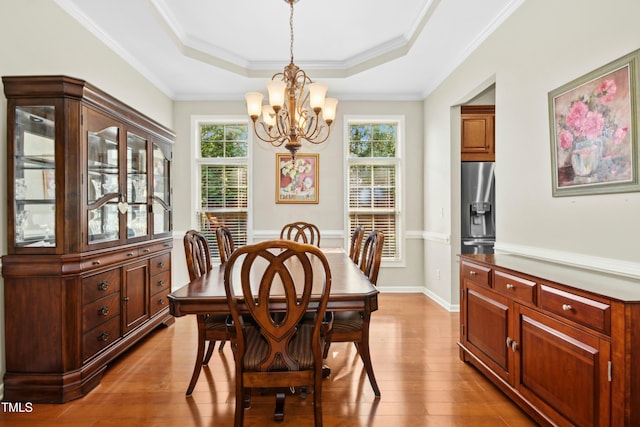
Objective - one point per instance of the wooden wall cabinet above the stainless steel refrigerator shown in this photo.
(477, 133)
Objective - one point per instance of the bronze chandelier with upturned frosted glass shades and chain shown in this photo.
(297, 107)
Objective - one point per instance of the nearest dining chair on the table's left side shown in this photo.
(211, 328)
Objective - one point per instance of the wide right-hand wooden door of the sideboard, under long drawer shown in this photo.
(563, 369)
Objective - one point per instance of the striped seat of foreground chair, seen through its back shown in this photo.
(257, 349)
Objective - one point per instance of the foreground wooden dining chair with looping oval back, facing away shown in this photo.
(278, 351)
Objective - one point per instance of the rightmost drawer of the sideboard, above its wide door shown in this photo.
(591, 313)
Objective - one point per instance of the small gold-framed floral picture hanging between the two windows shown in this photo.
(297, 180)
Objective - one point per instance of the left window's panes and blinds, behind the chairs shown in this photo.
(223, 169)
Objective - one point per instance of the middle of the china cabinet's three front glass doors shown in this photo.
(136, 186)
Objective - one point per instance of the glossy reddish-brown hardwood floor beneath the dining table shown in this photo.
(415, 357)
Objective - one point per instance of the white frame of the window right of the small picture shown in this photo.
(398, 161)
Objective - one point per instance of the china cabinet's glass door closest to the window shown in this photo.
(161, 191)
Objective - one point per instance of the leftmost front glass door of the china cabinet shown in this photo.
(103, 186)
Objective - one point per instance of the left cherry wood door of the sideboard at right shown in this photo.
(488, 327)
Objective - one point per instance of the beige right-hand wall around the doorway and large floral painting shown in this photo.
(543, 45)
